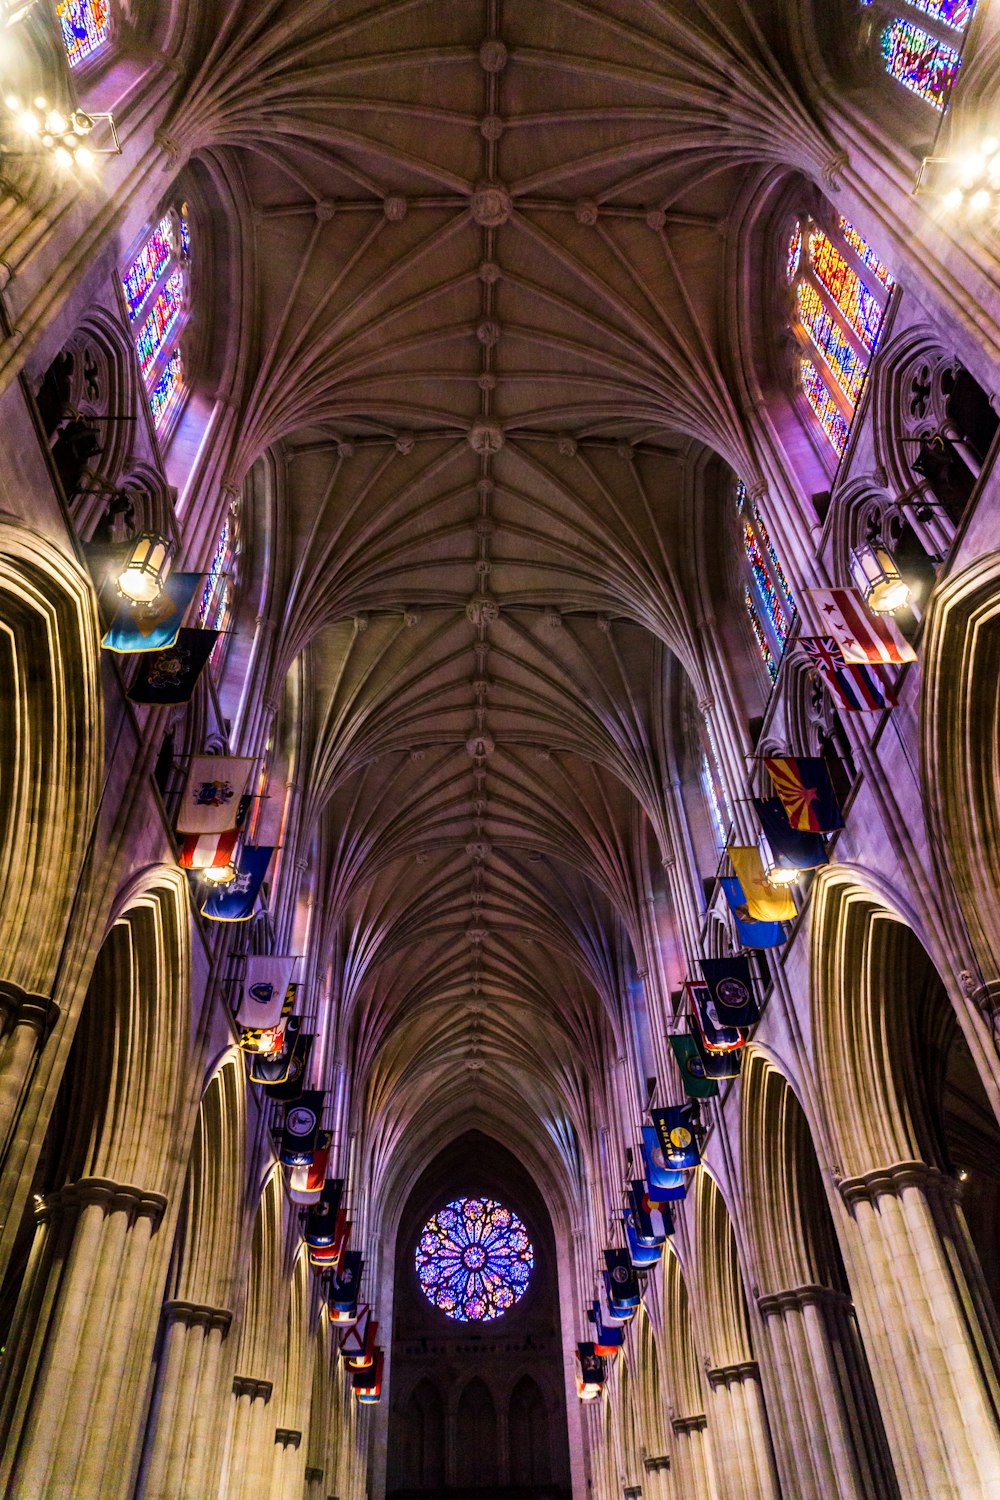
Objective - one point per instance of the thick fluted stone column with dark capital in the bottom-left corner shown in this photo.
(71, 1409)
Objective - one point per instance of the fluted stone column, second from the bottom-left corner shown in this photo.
(182, 1441)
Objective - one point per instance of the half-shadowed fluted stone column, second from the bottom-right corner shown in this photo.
(827, 1430)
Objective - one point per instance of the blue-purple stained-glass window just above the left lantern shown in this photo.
(157, 293)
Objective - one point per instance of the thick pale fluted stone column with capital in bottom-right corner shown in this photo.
(933, 1357)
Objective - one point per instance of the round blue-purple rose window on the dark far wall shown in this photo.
(475, 1261)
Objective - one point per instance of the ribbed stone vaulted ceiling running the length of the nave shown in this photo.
(488, 307)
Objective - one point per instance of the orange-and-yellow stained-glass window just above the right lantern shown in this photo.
(842, 295)
